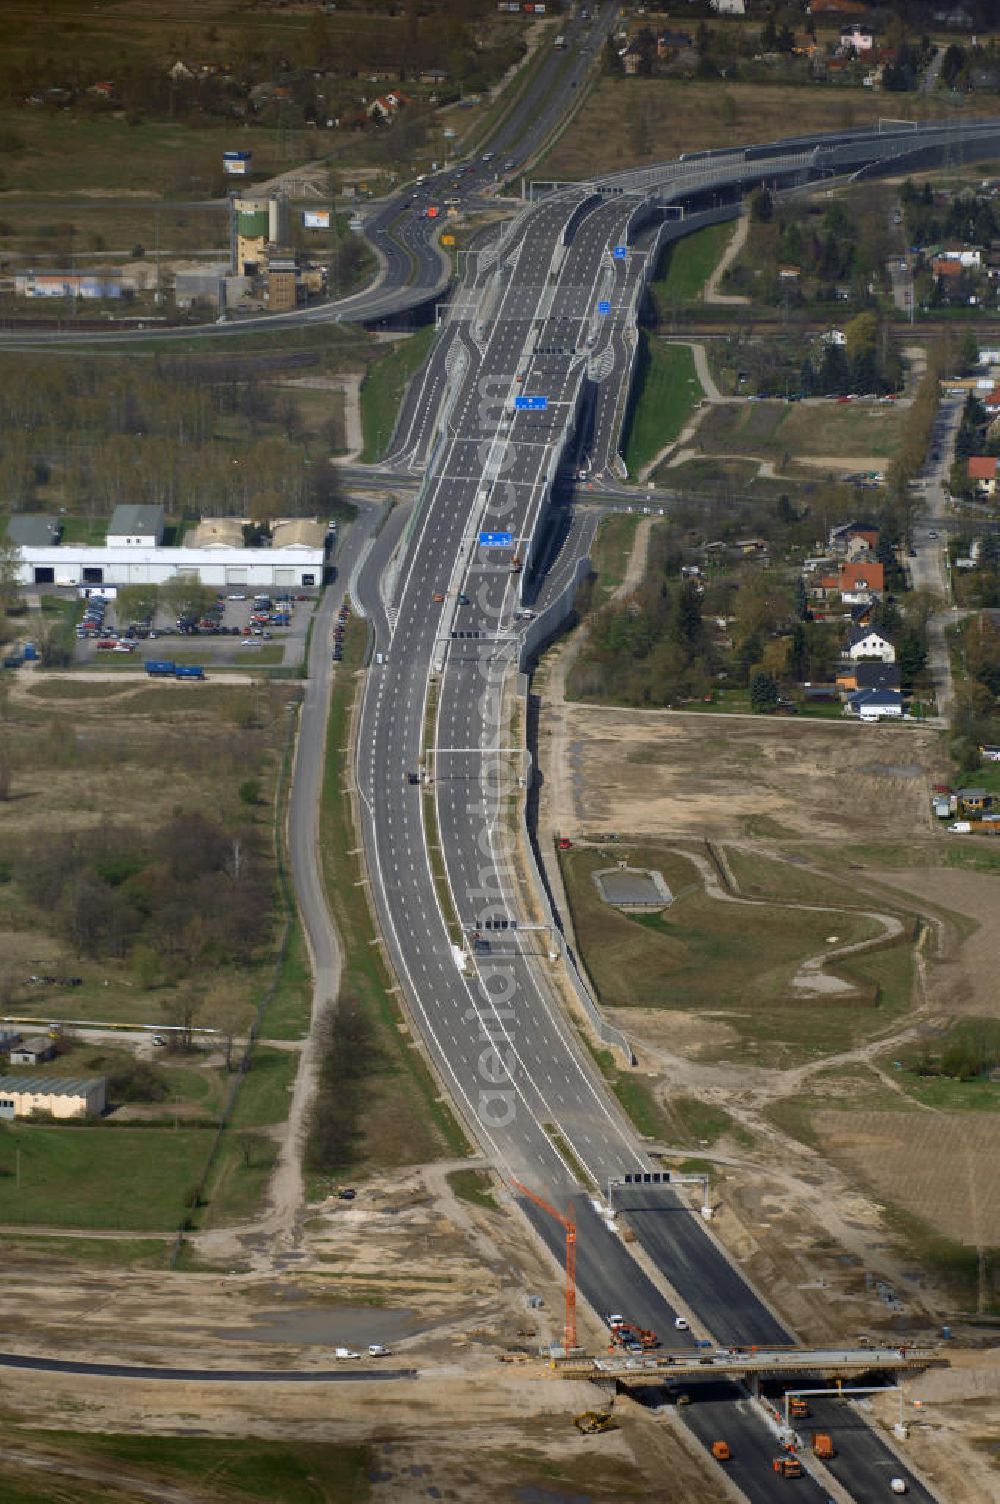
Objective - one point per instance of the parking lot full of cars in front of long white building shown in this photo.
(240, 628)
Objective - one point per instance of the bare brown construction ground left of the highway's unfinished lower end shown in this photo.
(440, 1282)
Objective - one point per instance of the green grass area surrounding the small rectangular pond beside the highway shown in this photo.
(732, 963)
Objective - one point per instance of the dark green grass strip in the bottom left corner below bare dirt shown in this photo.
(247, 1470)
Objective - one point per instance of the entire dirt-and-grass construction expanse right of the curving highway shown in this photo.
(847, 1186)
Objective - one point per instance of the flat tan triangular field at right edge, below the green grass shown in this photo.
(935, 1165)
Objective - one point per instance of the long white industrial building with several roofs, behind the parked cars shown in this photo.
(133, 554)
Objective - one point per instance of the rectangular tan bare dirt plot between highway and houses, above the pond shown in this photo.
(715, 777)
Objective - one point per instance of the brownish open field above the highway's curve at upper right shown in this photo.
(688, 117)
